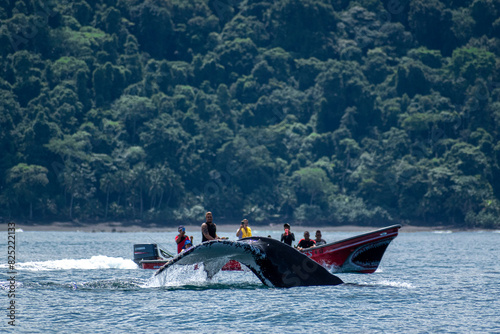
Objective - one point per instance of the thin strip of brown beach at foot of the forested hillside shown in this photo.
(131, 227)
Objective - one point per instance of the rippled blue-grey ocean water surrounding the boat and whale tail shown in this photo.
(76, 282)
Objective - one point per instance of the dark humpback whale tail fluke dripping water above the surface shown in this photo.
(273, 262)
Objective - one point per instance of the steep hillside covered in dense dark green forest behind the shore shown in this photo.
(332, 112)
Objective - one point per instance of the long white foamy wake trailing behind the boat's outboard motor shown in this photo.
(95, 262)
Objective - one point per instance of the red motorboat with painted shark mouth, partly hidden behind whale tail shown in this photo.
(359, 254)
